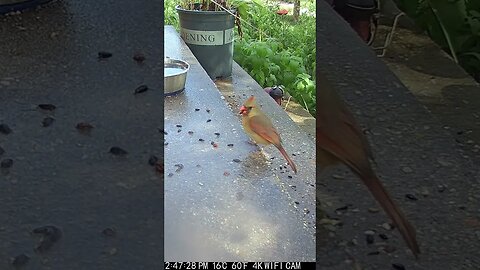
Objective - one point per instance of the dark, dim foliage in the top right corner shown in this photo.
(453, 24)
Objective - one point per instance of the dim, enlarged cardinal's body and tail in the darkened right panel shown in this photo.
(340, 140)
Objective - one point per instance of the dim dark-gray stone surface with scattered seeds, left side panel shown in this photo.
(68, 179)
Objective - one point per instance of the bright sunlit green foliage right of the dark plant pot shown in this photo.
(275, 50)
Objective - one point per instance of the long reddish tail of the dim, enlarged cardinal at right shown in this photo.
(381, 195)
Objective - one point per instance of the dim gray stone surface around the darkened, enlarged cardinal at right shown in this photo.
(403, 134)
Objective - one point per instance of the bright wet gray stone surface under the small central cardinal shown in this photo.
(218, 209)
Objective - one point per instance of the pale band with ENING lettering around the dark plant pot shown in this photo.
(207, 38)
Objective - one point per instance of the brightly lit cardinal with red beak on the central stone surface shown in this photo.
(259, 127)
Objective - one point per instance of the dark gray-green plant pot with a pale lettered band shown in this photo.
(207, 28)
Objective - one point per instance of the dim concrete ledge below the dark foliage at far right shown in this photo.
(440, 84)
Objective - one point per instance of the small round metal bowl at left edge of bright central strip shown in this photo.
(175, 76)
